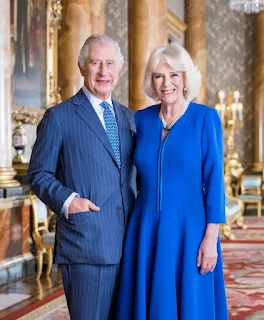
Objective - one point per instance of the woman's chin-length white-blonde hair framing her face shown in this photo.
(178, 59)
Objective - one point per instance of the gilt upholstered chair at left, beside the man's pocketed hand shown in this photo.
(44, 240)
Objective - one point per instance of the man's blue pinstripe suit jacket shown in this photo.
(73, 153)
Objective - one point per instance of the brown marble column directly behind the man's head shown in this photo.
(80, 19)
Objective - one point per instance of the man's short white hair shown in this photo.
(102, 39)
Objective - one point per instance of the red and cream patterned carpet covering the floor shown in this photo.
(244, 275)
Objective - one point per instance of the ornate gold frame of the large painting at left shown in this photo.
(53, 18)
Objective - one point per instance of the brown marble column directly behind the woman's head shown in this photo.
(147, 30)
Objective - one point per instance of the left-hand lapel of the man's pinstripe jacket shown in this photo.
(87, 113)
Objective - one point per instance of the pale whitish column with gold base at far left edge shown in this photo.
(6, 170)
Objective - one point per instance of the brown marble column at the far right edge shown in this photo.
(259, 94)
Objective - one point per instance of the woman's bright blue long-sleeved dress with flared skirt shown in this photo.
(181, 190)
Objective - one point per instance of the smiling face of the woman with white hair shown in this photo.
(168, 83)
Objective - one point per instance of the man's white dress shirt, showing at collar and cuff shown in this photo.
(95, 102)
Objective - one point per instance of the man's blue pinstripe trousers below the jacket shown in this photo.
(90, 290)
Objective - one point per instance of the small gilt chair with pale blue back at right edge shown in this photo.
(251, 191)
